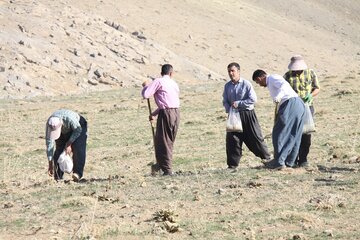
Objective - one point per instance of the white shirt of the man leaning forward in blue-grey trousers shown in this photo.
(280, 90)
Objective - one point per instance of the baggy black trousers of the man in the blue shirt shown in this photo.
(251, 136)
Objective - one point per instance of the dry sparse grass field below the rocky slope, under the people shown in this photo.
(120, 200)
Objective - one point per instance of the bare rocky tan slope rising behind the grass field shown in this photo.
(69, 47)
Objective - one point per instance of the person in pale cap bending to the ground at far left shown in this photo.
(66, 131)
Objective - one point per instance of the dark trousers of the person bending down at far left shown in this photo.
(78, 150)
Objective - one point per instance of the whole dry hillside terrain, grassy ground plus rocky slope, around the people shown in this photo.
(92, 56)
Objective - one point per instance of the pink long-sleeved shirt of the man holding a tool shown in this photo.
(165, 91)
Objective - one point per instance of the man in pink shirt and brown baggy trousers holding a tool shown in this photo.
(166, 94)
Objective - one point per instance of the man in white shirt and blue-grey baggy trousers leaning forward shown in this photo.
(288, 127)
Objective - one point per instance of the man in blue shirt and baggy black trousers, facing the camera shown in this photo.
(239, 94)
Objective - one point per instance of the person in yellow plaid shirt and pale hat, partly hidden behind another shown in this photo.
(305, 83)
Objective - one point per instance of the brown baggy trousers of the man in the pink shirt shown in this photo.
(167, 125)
